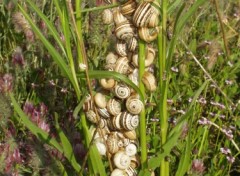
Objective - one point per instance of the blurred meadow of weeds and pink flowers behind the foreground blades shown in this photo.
(28, 70)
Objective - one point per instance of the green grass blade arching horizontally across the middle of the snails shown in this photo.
(98, 74)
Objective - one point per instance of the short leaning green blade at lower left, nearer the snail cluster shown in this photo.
(67, 147)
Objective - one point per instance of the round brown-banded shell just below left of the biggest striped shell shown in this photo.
(124, 30)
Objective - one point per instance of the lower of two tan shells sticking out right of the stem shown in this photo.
(149, 81)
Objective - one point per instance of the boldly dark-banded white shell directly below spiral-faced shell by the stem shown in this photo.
(129, 121)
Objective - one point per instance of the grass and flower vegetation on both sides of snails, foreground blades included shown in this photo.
(42, 127)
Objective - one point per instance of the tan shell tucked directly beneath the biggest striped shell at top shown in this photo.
(148, 34)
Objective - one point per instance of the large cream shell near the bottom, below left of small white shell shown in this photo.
(121, 160)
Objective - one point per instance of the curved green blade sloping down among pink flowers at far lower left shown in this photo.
(44, 136)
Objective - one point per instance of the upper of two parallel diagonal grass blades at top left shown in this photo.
(49, 25)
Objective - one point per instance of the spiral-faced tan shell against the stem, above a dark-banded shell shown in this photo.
(134, 105)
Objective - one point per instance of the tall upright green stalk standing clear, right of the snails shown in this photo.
(164, 166)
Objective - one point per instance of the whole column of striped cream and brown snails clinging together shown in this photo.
(116, 114)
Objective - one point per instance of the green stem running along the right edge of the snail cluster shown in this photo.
(143, 139)
